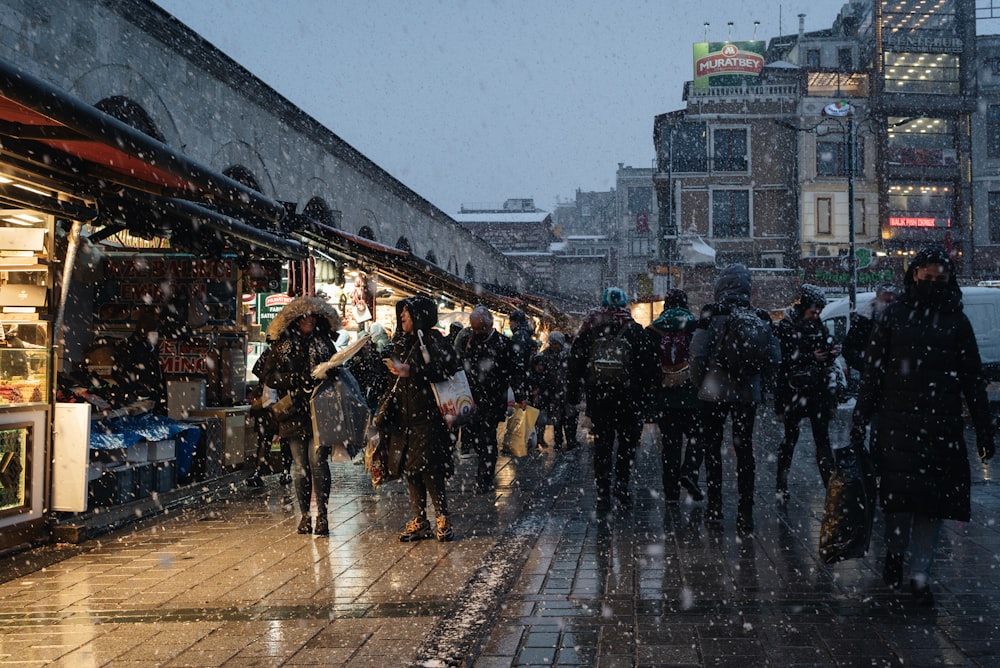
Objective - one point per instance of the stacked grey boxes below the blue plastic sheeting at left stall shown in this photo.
(127, 474)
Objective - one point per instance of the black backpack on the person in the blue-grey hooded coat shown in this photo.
(743, 345)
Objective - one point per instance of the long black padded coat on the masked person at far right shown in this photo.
(919, 364)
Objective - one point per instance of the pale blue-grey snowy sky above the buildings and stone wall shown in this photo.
(480, 101)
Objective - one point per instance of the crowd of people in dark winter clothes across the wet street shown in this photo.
(688, 374)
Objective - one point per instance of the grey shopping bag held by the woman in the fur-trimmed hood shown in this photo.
(339, 416)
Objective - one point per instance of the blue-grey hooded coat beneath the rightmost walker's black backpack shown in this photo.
(732, 289)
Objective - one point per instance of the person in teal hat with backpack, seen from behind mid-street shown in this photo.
(612, 362)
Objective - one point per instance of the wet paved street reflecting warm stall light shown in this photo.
(535, 577)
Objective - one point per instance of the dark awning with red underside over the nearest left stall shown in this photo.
(54, 138)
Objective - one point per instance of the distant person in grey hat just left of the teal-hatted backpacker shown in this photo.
(550, 370)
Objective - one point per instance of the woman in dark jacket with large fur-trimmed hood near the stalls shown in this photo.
(304, 335)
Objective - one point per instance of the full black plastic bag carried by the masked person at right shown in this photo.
(849, 510)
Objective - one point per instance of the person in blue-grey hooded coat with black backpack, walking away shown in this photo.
(732, 348)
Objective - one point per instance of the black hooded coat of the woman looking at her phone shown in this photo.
(420, 440)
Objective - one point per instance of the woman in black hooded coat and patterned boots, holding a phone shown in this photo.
(419, 441)
